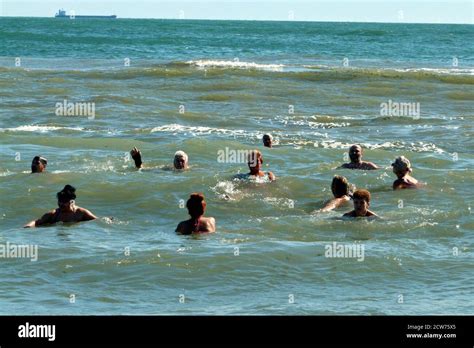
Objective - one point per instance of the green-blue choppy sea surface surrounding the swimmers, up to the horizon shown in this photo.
(202, 87)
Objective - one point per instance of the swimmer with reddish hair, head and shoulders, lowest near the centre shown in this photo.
(198, 223)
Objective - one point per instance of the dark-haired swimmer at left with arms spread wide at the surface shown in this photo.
(67, 211)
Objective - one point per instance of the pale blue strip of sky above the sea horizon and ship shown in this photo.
(403, 11)
